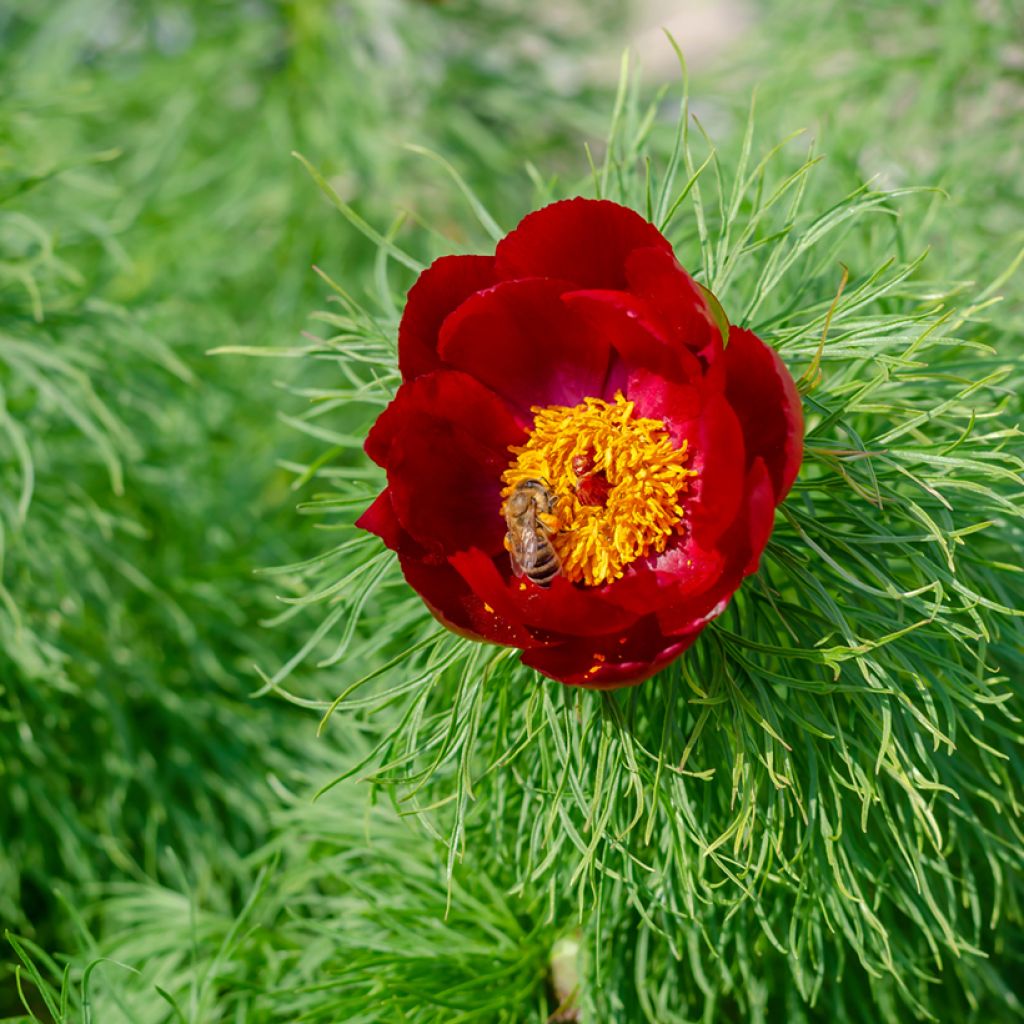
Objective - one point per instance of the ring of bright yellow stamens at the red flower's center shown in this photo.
(619, 481)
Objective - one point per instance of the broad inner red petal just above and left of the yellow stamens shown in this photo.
(523, 342)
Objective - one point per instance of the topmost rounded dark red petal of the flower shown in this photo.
(586, 241)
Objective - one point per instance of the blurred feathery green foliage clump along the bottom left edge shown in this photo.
(346, 920)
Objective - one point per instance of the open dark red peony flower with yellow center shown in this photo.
(581, 357)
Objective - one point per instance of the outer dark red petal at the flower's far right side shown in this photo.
(763, 394)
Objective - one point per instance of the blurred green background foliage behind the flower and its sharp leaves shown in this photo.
(151, 211)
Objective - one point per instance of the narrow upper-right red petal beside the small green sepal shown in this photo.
(678, 302)
